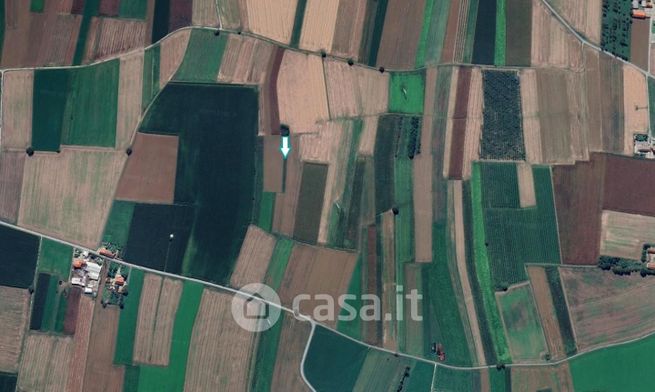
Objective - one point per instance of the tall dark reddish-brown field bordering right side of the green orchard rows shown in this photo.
(578, 201)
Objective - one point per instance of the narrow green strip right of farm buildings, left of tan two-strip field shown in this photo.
(128, 318)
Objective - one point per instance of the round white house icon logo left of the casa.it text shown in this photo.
(255, 307)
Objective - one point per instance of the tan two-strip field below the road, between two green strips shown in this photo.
(159, 300)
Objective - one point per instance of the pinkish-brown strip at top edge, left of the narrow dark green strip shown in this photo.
(348, 31)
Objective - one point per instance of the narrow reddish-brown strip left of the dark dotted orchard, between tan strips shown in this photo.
(459, 124)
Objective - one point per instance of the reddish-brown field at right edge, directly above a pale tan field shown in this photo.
(628, 187)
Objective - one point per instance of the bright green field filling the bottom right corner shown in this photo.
(620, 368)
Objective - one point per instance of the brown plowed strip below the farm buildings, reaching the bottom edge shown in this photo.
(101, 374)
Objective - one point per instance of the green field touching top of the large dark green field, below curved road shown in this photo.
(202, 58)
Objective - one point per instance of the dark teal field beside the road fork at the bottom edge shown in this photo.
(333, 363)
